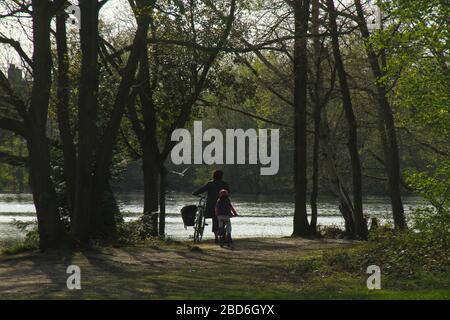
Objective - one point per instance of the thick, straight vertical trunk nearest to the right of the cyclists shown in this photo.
(301, 12)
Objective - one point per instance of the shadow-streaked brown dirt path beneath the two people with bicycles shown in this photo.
(151, 271)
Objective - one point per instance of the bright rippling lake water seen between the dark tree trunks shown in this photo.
(260, 216)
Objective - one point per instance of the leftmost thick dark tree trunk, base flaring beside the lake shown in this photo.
(44, 194)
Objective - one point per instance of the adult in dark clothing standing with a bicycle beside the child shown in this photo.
(212, 188)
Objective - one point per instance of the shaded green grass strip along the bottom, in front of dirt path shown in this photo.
(268, 282)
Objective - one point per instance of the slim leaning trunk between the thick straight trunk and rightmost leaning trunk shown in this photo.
(358, 217)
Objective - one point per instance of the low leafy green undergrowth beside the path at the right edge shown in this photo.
(425, 247)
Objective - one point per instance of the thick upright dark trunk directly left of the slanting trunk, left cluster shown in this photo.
(87, 116)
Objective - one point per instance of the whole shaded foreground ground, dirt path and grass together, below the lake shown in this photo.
(257, 268)
